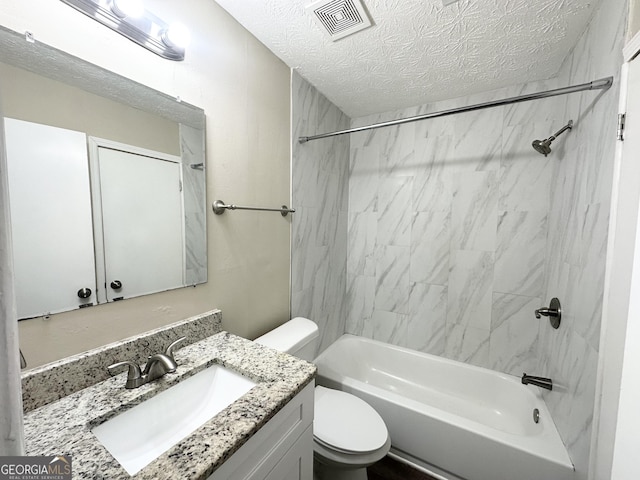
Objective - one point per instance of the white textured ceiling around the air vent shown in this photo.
(418, 51)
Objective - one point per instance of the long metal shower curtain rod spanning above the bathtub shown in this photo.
(601, 84)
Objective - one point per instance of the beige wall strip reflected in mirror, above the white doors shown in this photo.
(27, 96)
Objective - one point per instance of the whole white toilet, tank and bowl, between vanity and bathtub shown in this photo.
(348, 434)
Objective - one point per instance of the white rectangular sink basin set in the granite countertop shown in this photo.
(140, 435)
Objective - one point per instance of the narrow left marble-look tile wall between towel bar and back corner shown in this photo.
(320, 172)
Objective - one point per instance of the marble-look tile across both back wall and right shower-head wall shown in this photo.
(458, 230)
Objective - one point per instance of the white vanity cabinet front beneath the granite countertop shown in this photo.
(281, 450)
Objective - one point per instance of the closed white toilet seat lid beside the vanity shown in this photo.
(347, 423)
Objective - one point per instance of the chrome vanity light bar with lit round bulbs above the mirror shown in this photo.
(129, 18)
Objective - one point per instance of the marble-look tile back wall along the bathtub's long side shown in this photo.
(448, 222)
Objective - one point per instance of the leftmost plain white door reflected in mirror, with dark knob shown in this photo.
(50, 218)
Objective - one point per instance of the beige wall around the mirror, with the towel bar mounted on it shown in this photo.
(244, 90)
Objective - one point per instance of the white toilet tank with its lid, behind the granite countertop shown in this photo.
(297, 337)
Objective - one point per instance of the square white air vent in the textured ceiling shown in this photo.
(340, 17)
